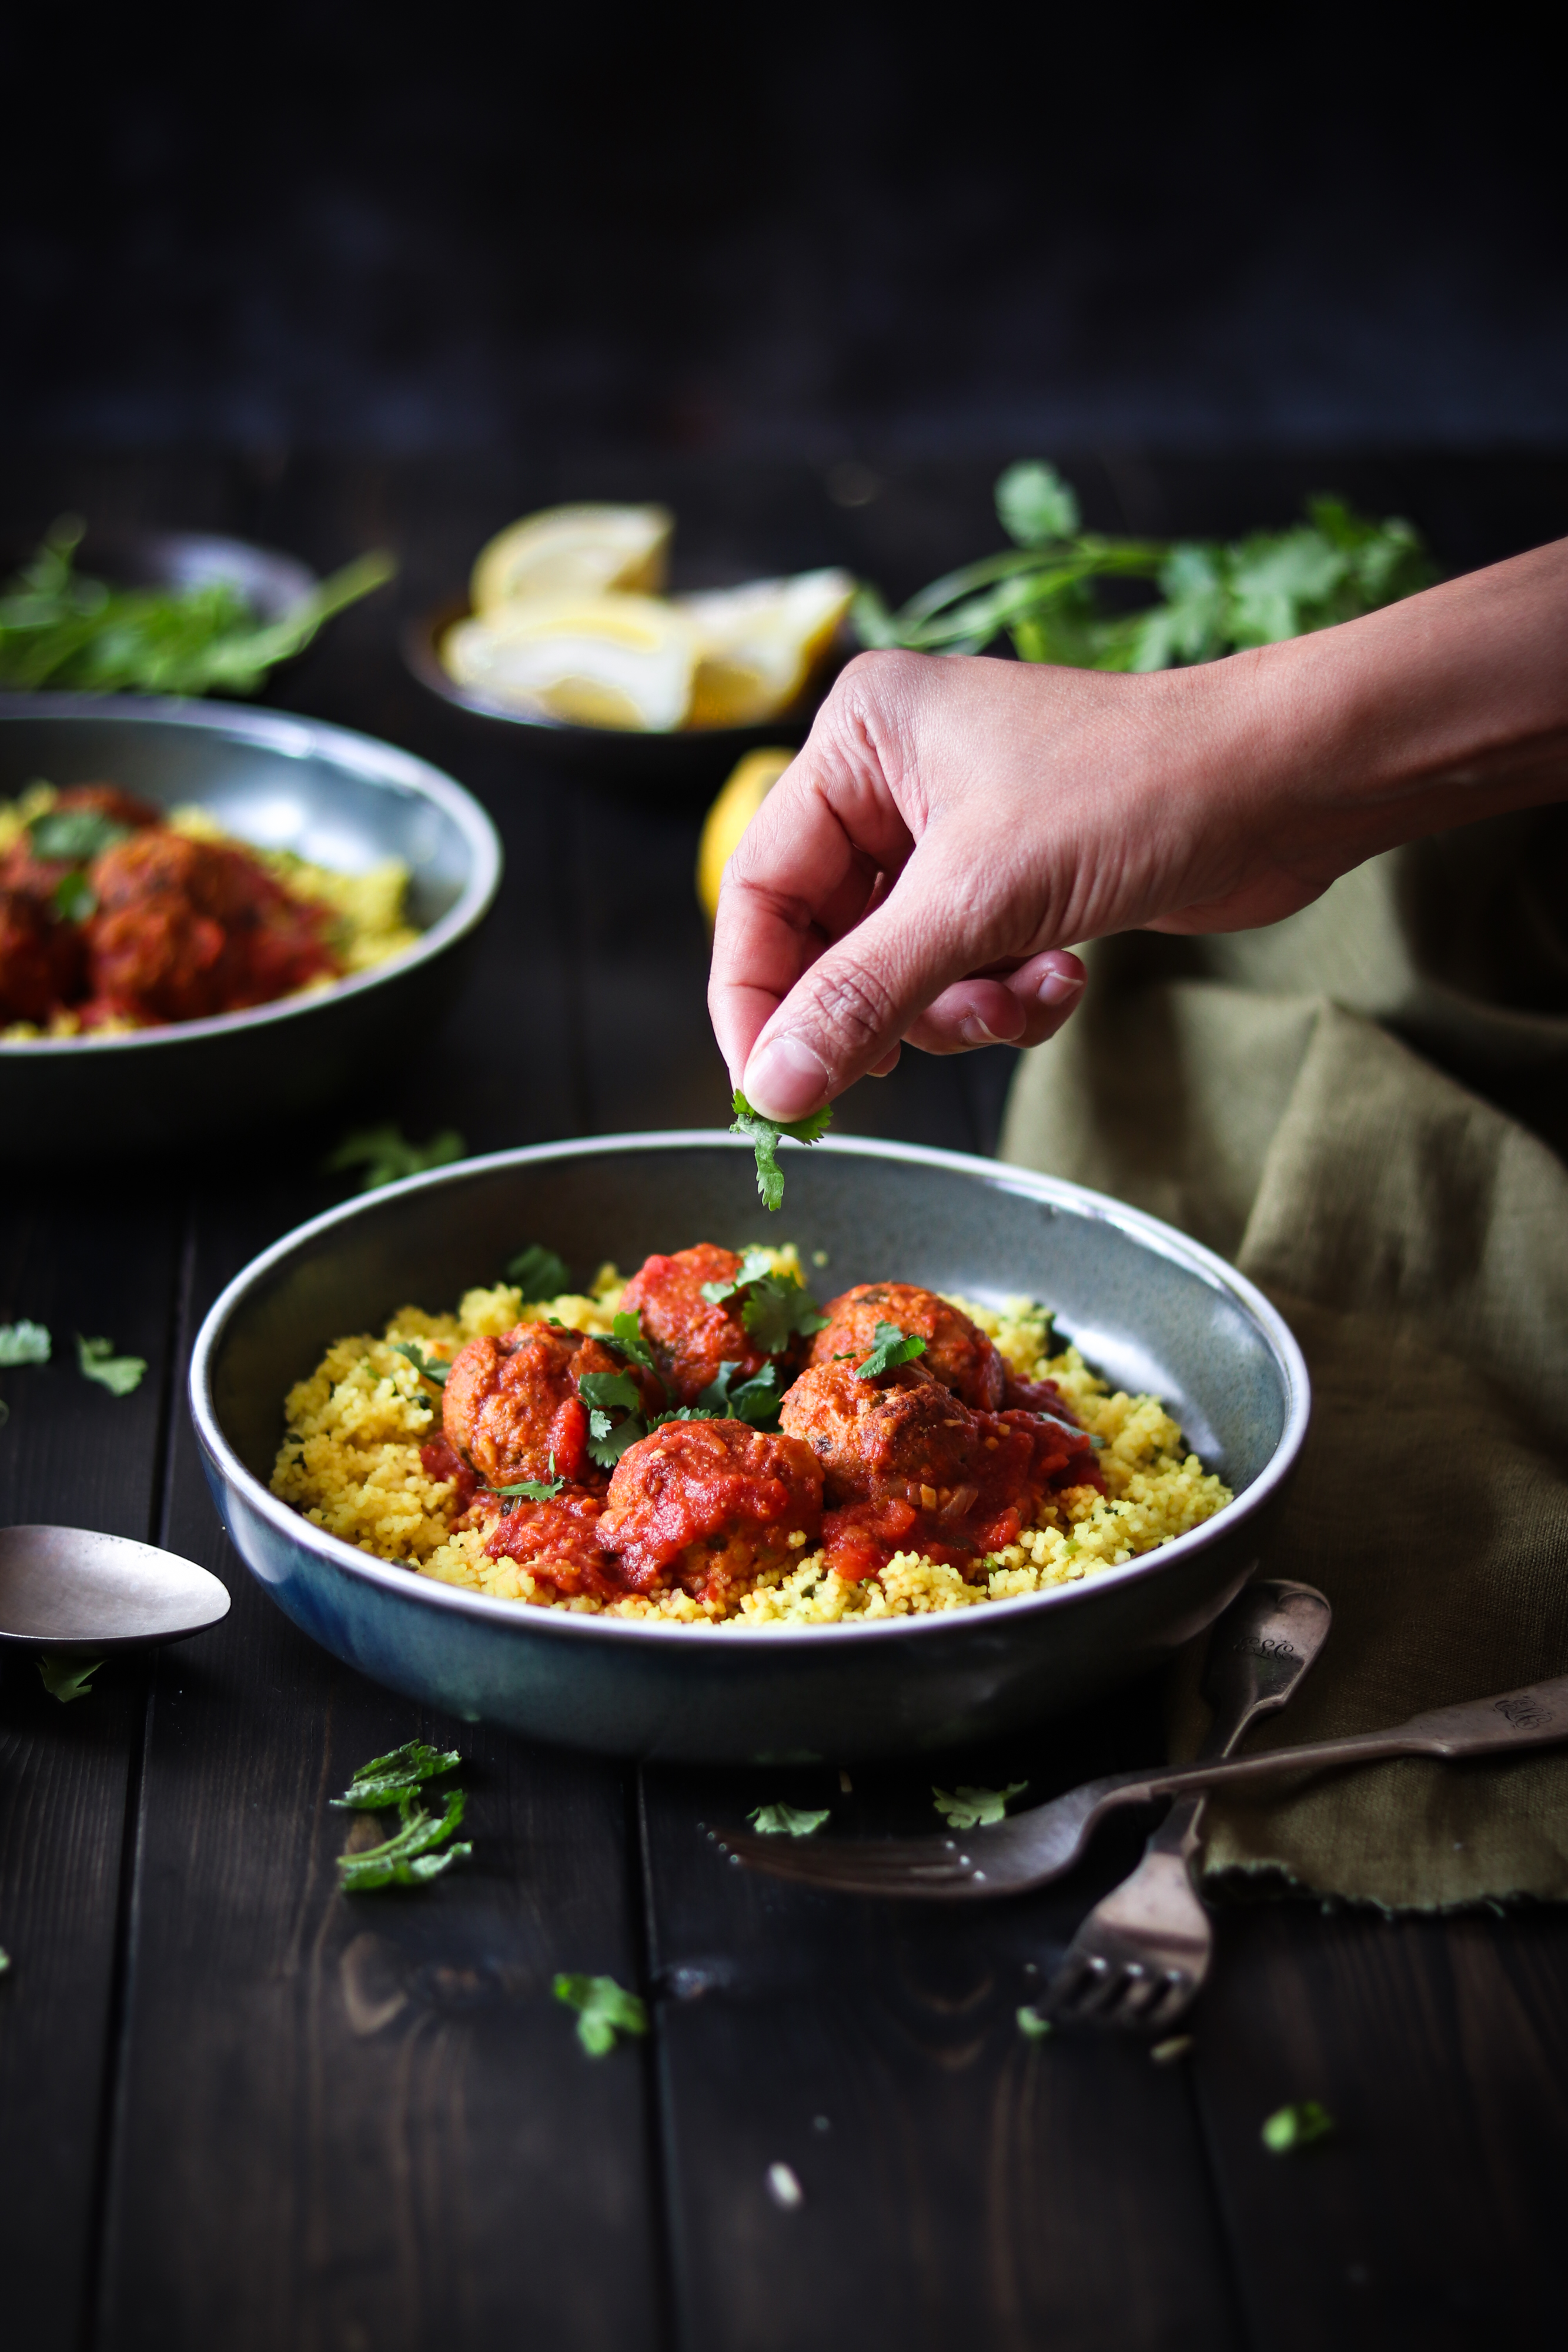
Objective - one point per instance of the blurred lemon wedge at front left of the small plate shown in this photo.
(594, 662)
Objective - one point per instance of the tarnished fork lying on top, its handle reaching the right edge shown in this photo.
(1043, 1845)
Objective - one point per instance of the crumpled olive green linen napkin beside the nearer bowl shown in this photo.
(1360, 1109)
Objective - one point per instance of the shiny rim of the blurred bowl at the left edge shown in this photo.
(295, 740)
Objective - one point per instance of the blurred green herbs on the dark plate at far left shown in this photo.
(60, 629)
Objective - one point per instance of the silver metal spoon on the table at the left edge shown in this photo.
(72, 1589)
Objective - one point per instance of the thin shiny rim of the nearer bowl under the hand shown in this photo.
(579, 1626)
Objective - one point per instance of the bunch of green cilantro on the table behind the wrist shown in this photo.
(1212, 599)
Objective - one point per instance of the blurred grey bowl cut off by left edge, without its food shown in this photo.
(281, 784)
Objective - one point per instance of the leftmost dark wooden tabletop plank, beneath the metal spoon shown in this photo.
(100, 1262)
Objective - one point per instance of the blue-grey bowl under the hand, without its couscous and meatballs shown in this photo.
(1151, 1309)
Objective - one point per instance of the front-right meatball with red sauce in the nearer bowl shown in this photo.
(911, 1469)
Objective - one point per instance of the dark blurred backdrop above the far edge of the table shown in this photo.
(786, 236)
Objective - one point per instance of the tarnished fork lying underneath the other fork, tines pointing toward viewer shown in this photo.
(1141, 1956)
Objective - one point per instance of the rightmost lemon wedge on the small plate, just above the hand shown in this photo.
(760, 643)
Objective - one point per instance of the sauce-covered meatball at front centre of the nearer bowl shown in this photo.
(706, 1504)
